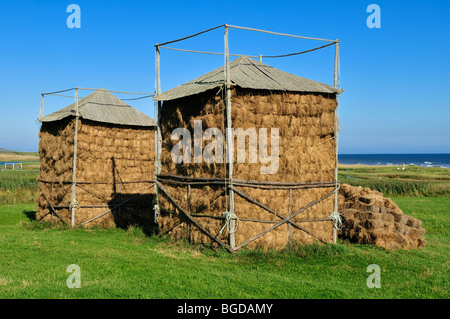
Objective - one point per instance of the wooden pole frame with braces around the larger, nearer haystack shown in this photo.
(229, 182)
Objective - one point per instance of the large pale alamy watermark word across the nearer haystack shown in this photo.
(188, 151)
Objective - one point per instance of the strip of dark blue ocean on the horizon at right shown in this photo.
(424, 160)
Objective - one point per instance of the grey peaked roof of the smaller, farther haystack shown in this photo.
(102, 106)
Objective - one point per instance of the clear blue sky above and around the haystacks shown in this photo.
(396, 78)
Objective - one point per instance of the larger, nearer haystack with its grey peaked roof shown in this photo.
(261, 97)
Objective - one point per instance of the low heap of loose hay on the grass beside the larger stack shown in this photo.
(370, 218)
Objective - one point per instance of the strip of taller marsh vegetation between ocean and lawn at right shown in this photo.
(412, 182)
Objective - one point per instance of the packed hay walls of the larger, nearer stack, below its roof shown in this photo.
(306, 154)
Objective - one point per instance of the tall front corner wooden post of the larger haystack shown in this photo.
(229, 136)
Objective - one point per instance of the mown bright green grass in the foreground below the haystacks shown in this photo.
(118, 263)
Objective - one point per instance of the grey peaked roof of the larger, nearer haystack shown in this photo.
(251, 74)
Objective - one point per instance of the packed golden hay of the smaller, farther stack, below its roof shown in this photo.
(109, 158)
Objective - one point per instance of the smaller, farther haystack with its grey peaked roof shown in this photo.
(115, 163)
